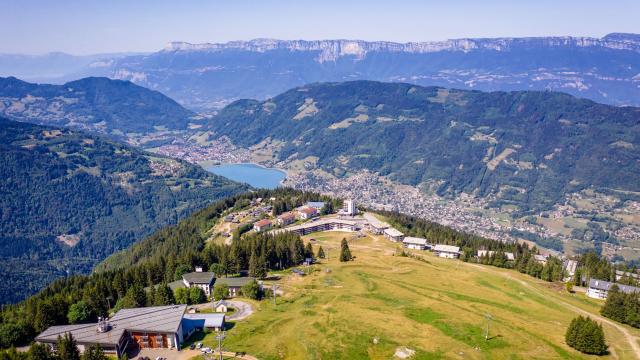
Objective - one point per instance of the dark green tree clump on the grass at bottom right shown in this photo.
(586, 335)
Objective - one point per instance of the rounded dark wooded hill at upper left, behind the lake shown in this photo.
(114, 107)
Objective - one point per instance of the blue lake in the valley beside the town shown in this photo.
(251, 174)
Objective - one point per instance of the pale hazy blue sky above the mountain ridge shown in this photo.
(87, 26)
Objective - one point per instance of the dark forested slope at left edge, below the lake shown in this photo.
(103, 194)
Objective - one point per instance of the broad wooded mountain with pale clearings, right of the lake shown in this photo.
(443, 138)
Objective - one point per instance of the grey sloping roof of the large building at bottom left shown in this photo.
(164, 319)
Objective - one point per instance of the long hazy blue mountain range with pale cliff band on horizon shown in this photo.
(208, 76)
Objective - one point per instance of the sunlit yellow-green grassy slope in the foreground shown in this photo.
(370, 307)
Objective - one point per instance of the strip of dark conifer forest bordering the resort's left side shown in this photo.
(158, 259)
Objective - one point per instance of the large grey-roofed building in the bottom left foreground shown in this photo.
(149, 327)
